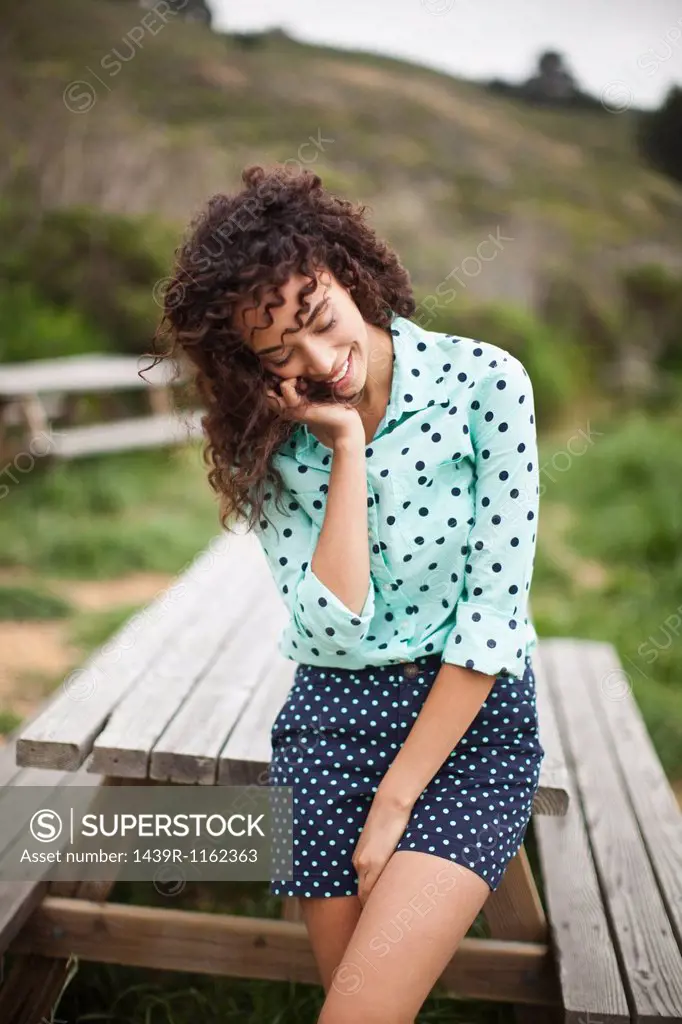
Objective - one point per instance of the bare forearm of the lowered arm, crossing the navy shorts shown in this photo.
(454, 701)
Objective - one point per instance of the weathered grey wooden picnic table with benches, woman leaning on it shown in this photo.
(187, 693)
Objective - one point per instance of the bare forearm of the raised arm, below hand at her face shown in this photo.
(342, 559)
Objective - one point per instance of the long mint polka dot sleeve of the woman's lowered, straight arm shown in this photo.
(491, 614)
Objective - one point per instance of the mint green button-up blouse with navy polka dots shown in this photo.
(453, 499)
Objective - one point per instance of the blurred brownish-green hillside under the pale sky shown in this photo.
(158, 123)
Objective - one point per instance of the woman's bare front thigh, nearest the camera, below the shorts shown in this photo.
(418, 913)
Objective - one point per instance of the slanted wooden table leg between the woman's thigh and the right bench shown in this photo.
(515, 912)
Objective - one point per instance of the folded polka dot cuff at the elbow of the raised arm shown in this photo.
(320, 614)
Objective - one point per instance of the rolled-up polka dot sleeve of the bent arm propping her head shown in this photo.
(317, 613)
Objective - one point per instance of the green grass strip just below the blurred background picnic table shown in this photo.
(101, 519)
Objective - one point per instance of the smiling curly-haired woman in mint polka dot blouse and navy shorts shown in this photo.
(392, 477)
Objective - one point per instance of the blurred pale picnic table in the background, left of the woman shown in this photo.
(35, 395)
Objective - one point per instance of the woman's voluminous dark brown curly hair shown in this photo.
(283, 223)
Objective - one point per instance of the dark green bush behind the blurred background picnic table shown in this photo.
(98, 269)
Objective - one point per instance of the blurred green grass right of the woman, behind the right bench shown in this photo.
(610, 560)
